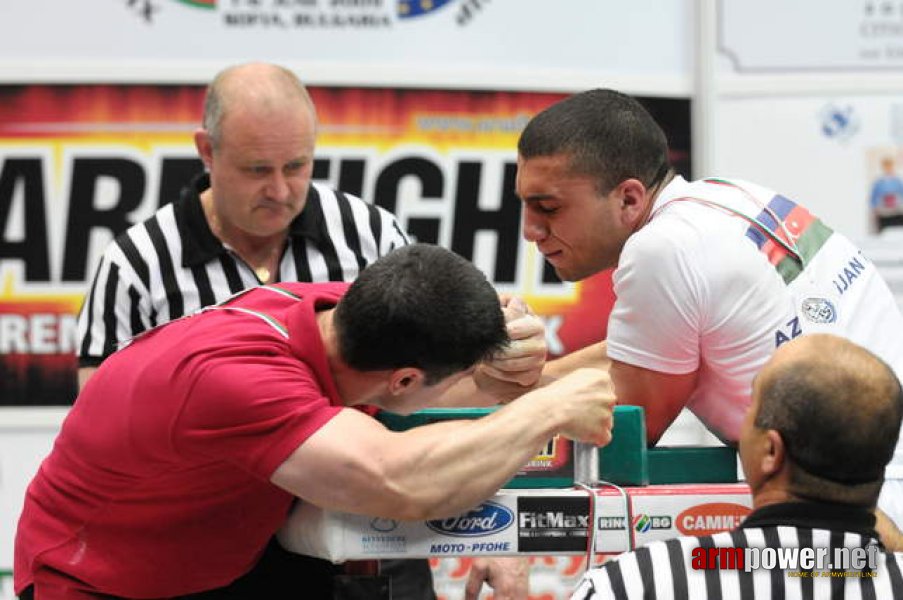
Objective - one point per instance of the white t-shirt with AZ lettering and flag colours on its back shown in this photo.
(702, 286)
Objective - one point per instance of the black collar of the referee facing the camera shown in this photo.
(200, 245)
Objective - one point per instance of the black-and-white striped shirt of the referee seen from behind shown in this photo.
(664, 569)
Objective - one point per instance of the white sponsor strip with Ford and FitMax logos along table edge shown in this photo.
(527, 522)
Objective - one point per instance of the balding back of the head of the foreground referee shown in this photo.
(838, 409)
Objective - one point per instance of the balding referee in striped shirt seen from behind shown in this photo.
(814, 461)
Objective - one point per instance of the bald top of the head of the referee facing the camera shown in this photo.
(254, 87)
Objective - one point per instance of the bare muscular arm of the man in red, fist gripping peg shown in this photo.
(354, 464)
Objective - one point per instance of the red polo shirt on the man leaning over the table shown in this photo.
(158, 483)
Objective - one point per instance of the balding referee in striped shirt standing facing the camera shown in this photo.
(255, 219)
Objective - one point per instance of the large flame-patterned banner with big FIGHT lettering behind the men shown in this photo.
(79, 164)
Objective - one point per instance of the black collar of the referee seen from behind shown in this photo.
(815, 515)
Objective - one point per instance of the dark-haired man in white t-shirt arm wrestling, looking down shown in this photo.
(710, 276)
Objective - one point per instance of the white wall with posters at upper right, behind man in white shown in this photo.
(807, 111)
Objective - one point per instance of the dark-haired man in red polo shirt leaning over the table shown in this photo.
(185, 450)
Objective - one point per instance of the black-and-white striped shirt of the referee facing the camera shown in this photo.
(171, 264)
